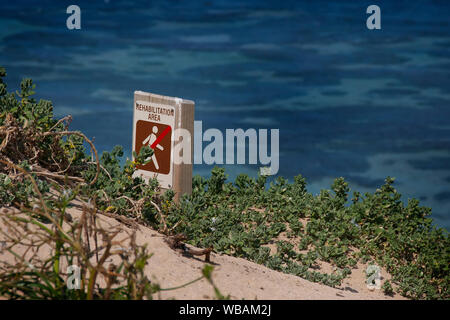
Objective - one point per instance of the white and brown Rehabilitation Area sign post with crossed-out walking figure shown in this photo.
(157, 121)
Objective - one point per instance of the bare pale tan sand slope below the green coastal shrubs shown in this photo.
(239, 278)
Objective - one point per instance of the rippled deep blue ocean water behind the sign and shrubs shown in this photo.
(348, 101)
